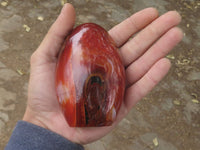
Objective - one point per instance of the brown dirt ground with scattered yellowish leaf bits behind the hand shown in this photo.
(167, 119)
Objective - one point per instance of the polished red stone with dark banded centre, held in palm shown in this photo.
(90, 77)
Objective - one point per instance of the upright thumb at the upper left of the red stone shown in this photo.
(58, 31)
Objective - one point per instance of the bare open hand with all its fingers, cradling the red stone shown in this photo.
(143, 57)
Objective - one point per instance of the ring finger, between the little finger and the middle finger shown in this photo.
(163, 46)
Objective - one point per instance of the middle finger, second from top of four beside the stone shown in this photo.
(140, 43)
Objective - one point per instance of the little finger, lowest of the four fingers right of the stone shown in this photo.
(141, 88)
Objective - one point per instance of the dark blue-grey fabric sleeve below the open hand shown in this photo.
(27, 135)
